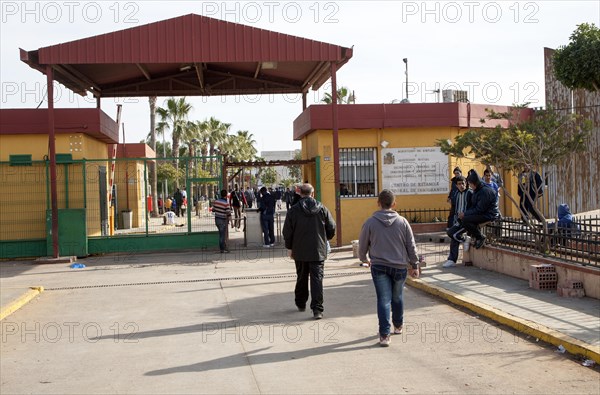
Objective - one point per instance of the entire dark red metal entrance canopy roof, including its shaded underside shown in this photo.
(190, 55)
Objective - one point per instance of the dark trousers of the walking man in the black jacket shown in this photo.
(315, 270)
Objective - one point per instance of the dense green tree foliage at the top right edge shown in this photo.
(577, 65)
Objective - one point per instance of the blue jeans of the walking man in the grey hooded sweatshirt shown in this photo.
(389, 283)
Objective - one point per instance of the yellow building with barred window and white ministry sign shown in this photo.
(387, 146)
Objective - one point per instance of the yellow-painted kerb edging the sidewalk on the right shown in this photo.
(572, 345)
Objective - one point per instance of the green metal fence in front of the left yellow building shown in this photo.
(92, 220)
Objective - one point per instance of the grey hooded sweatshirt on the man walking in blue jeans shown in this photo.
(389, 241)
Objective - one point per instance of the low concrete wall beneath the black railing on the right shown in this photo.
(517, 264)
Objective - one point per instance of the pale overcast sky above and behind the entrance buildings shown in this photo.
(492, 49)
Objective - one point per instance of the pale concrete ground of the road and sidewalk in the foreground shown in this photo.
(204, 322)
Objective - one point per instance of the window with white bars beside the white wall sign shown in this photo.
(358, 172)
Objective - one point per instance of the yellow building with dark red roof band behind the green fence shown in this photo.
(82, 138)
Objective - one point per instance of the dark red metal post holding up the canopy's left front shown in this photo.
(52, 149)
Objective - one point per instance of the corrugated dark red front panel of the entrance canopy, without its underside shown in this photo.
(185, 39)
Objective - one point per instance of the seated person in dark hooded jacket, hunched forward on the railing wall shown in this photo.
(483, 208)
